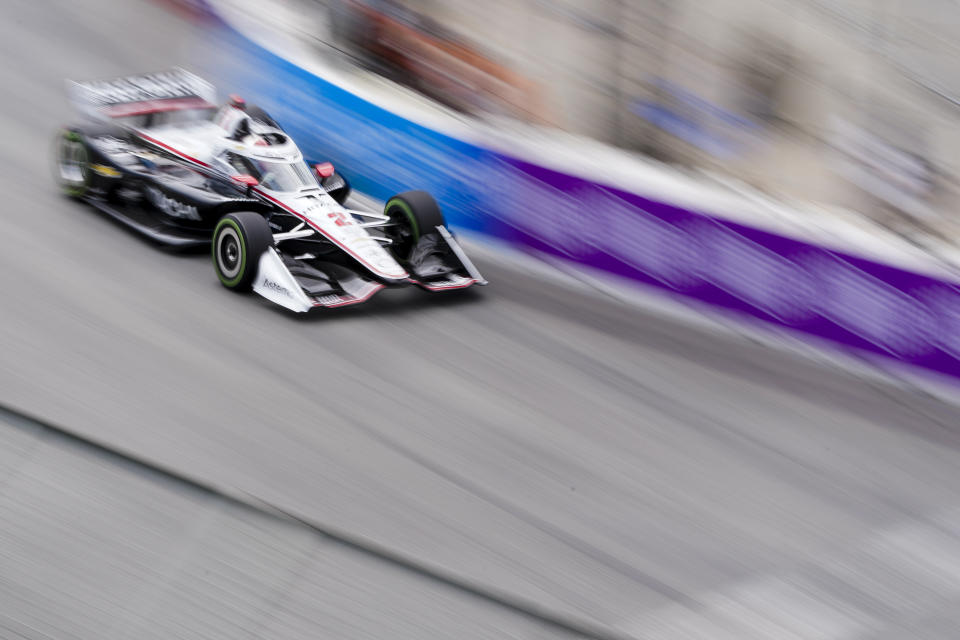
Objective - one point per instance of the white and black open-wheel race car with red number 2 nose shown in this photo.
(160, 156)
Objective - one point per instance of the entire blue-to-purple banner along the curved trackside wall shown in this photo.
(851, 302)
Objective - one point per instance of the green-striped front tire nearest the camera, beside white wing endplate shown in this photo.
(239, 239)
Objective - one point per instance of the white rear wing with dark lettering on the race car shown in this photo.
(171, 90)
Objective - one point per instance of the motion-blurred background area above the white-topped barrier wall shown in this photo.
(852, 103)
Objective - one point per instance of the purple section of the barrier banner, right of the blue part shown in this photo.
(847, 300)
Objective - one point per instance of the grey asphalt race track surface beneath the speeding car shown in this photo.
(579, 456)
